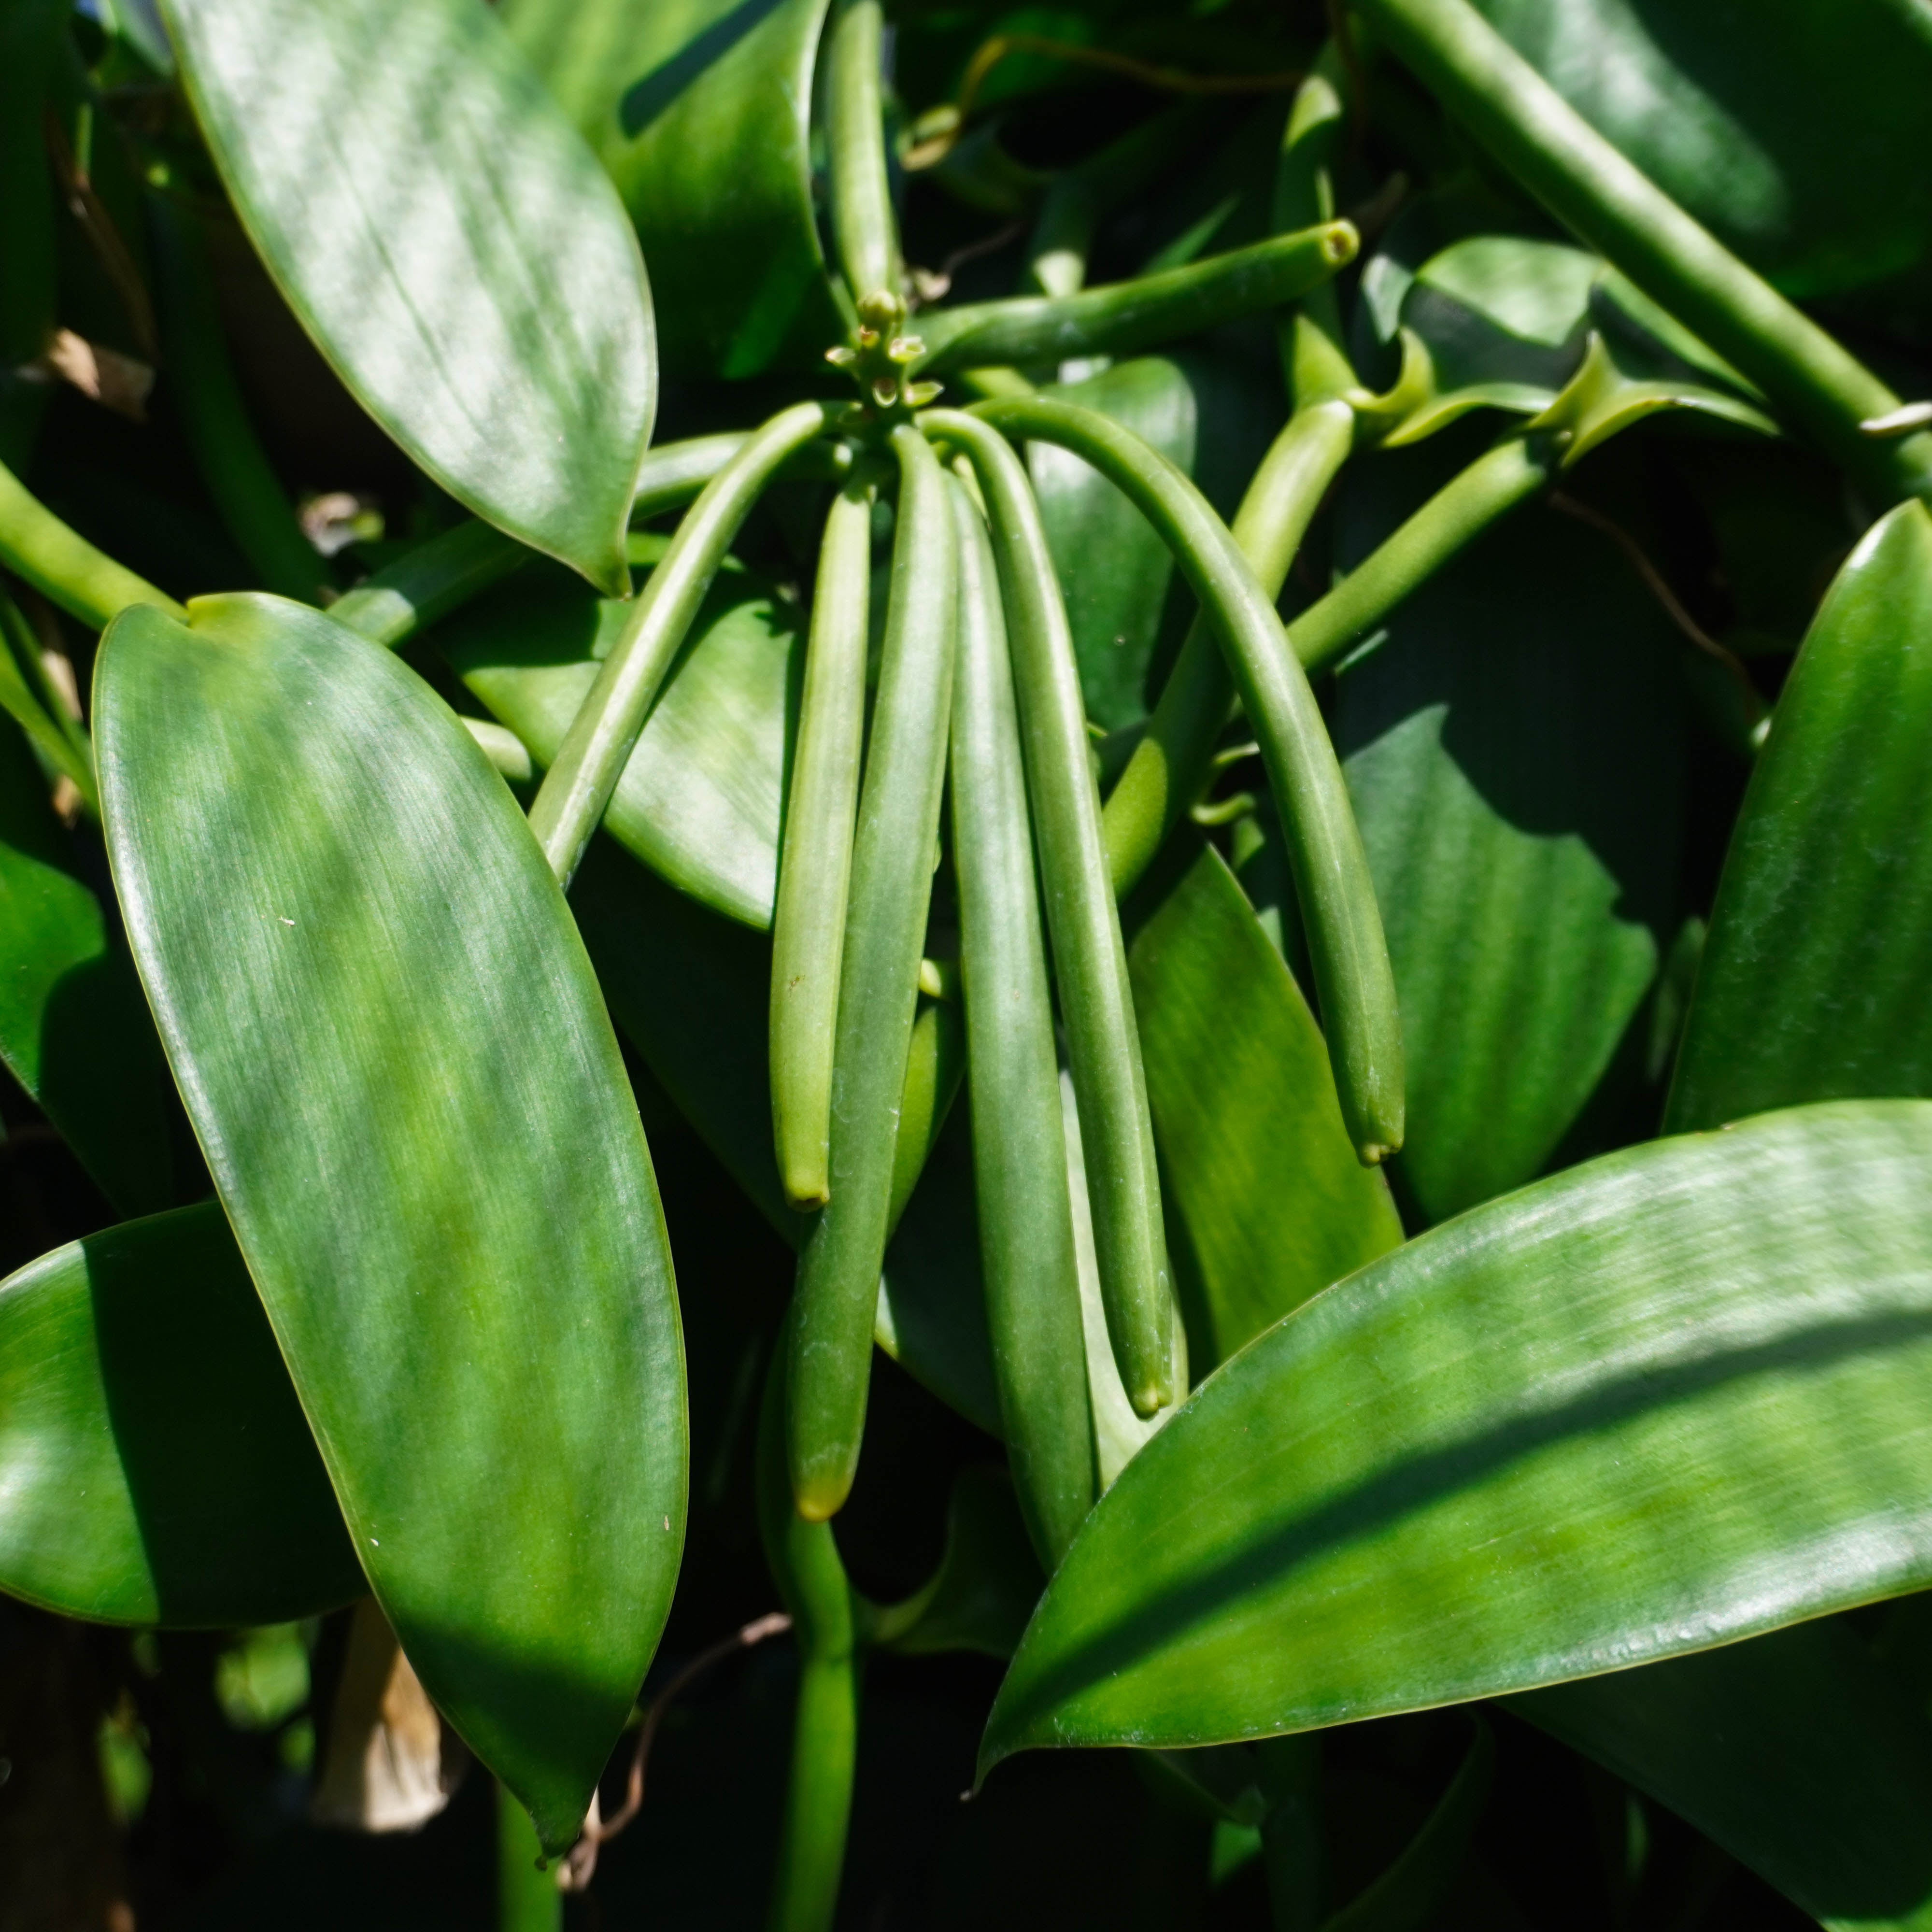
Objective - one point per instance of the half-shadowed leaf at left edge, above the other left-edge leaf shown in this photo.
(74, 1031)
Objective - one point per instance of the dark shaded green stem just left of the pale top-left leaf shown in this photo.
(202, 382)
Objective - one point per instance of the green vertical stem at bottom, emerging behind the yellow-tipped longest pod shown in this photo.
(812, 1583)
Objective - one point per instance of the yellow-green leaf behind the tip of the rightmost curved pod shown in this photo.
(1266, 1203)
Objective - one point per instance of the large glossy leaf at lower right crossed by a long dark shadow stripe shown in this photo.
(1651, 1406)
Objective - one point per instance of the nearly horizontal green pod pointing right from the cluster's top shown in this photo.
(1133, 316)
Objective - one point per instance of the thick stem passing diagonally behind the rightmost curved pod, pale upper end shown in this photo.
(1174, 760)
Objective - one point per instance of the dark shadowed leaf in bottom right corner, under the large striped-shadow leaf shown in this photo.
(1798, 1753)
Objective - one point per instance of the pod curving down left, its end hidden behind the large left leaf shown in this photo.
(604, 735)
